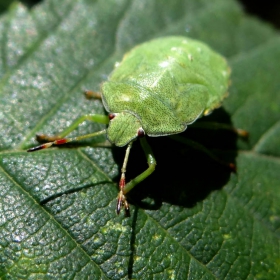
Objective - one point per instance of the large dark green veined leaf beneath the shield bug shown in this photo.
(192, 219)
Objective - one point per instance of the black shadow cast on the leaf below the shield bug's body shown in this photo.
(183, 176)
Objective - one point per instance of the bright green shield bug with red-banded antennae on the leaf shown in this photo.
(159, 88)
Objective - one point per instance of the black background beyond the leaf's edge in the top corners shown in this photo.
(266, 10)
